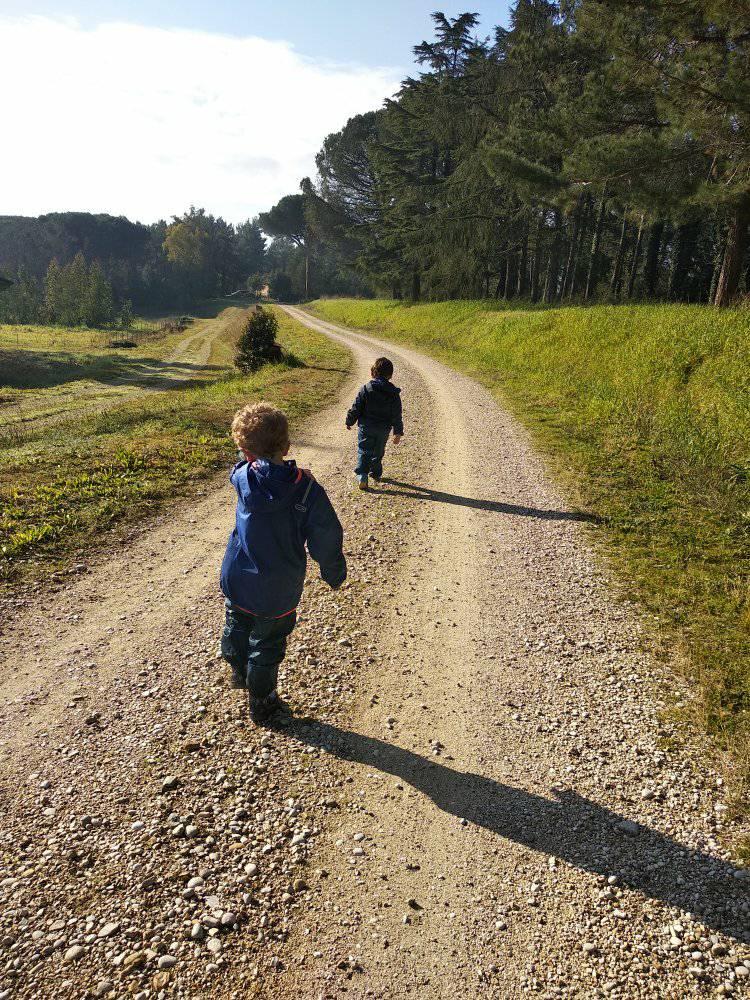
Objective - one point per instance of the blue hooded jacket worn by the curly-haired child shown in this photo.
(279, 511)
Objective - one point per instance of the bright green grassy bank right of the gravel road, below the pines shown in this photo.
(645, 411)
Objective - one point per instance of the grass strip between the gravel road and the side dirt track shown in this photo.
(61, 491)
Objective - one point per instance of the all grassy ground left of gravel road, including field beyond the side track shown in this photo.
(67, 478)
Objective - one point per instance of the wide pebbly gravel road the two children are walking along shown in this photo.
(476, 797)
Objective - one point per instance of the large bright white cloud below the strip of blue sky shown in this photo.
(144, 121)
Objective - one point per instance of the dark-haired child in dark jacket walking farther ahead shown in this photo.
(377, 411)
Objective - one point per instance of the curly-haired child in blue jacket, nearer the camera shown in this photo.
(280, 509)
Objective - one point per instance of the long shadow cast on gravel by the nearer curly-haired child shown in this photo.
(569, 827)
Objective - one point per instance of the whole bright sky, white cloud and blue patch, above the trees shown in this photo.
(145, 108)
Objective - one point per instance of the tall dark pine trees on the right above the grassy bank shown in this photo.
(593, 150)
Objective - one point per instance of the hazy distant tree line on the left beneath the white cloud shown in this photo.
(83, 269)
